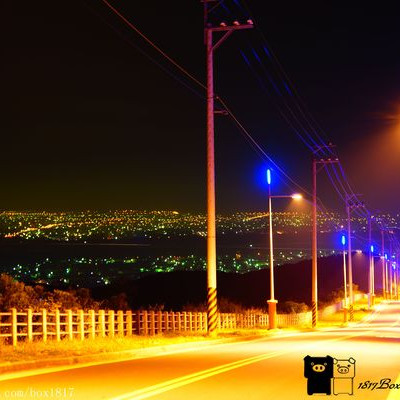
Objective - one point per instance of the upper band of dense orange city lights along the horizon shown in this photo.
(129, 224)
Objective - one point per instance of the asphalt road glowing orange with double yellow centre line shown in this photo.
(268, 368)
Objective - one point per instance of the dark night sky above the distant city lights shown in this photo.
(89, 121)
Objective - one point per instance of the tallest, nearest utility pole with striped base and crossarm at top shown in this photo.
(227, 30)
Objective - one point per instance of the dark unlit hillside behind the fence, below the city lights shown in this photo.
(292, 282)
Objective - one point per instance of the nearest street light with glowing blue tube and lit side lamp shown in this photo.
(272, 301)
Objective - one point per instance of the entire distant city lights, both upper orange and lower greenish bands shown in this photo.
(133, 238)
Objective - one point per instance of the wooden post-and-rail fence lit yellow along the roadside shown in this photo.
(28, 326)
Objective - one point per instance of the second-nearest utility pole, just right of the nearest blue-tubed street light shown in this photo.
(314, 253)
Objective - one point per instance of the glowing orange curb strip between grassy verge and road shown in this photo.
(124, 355)
